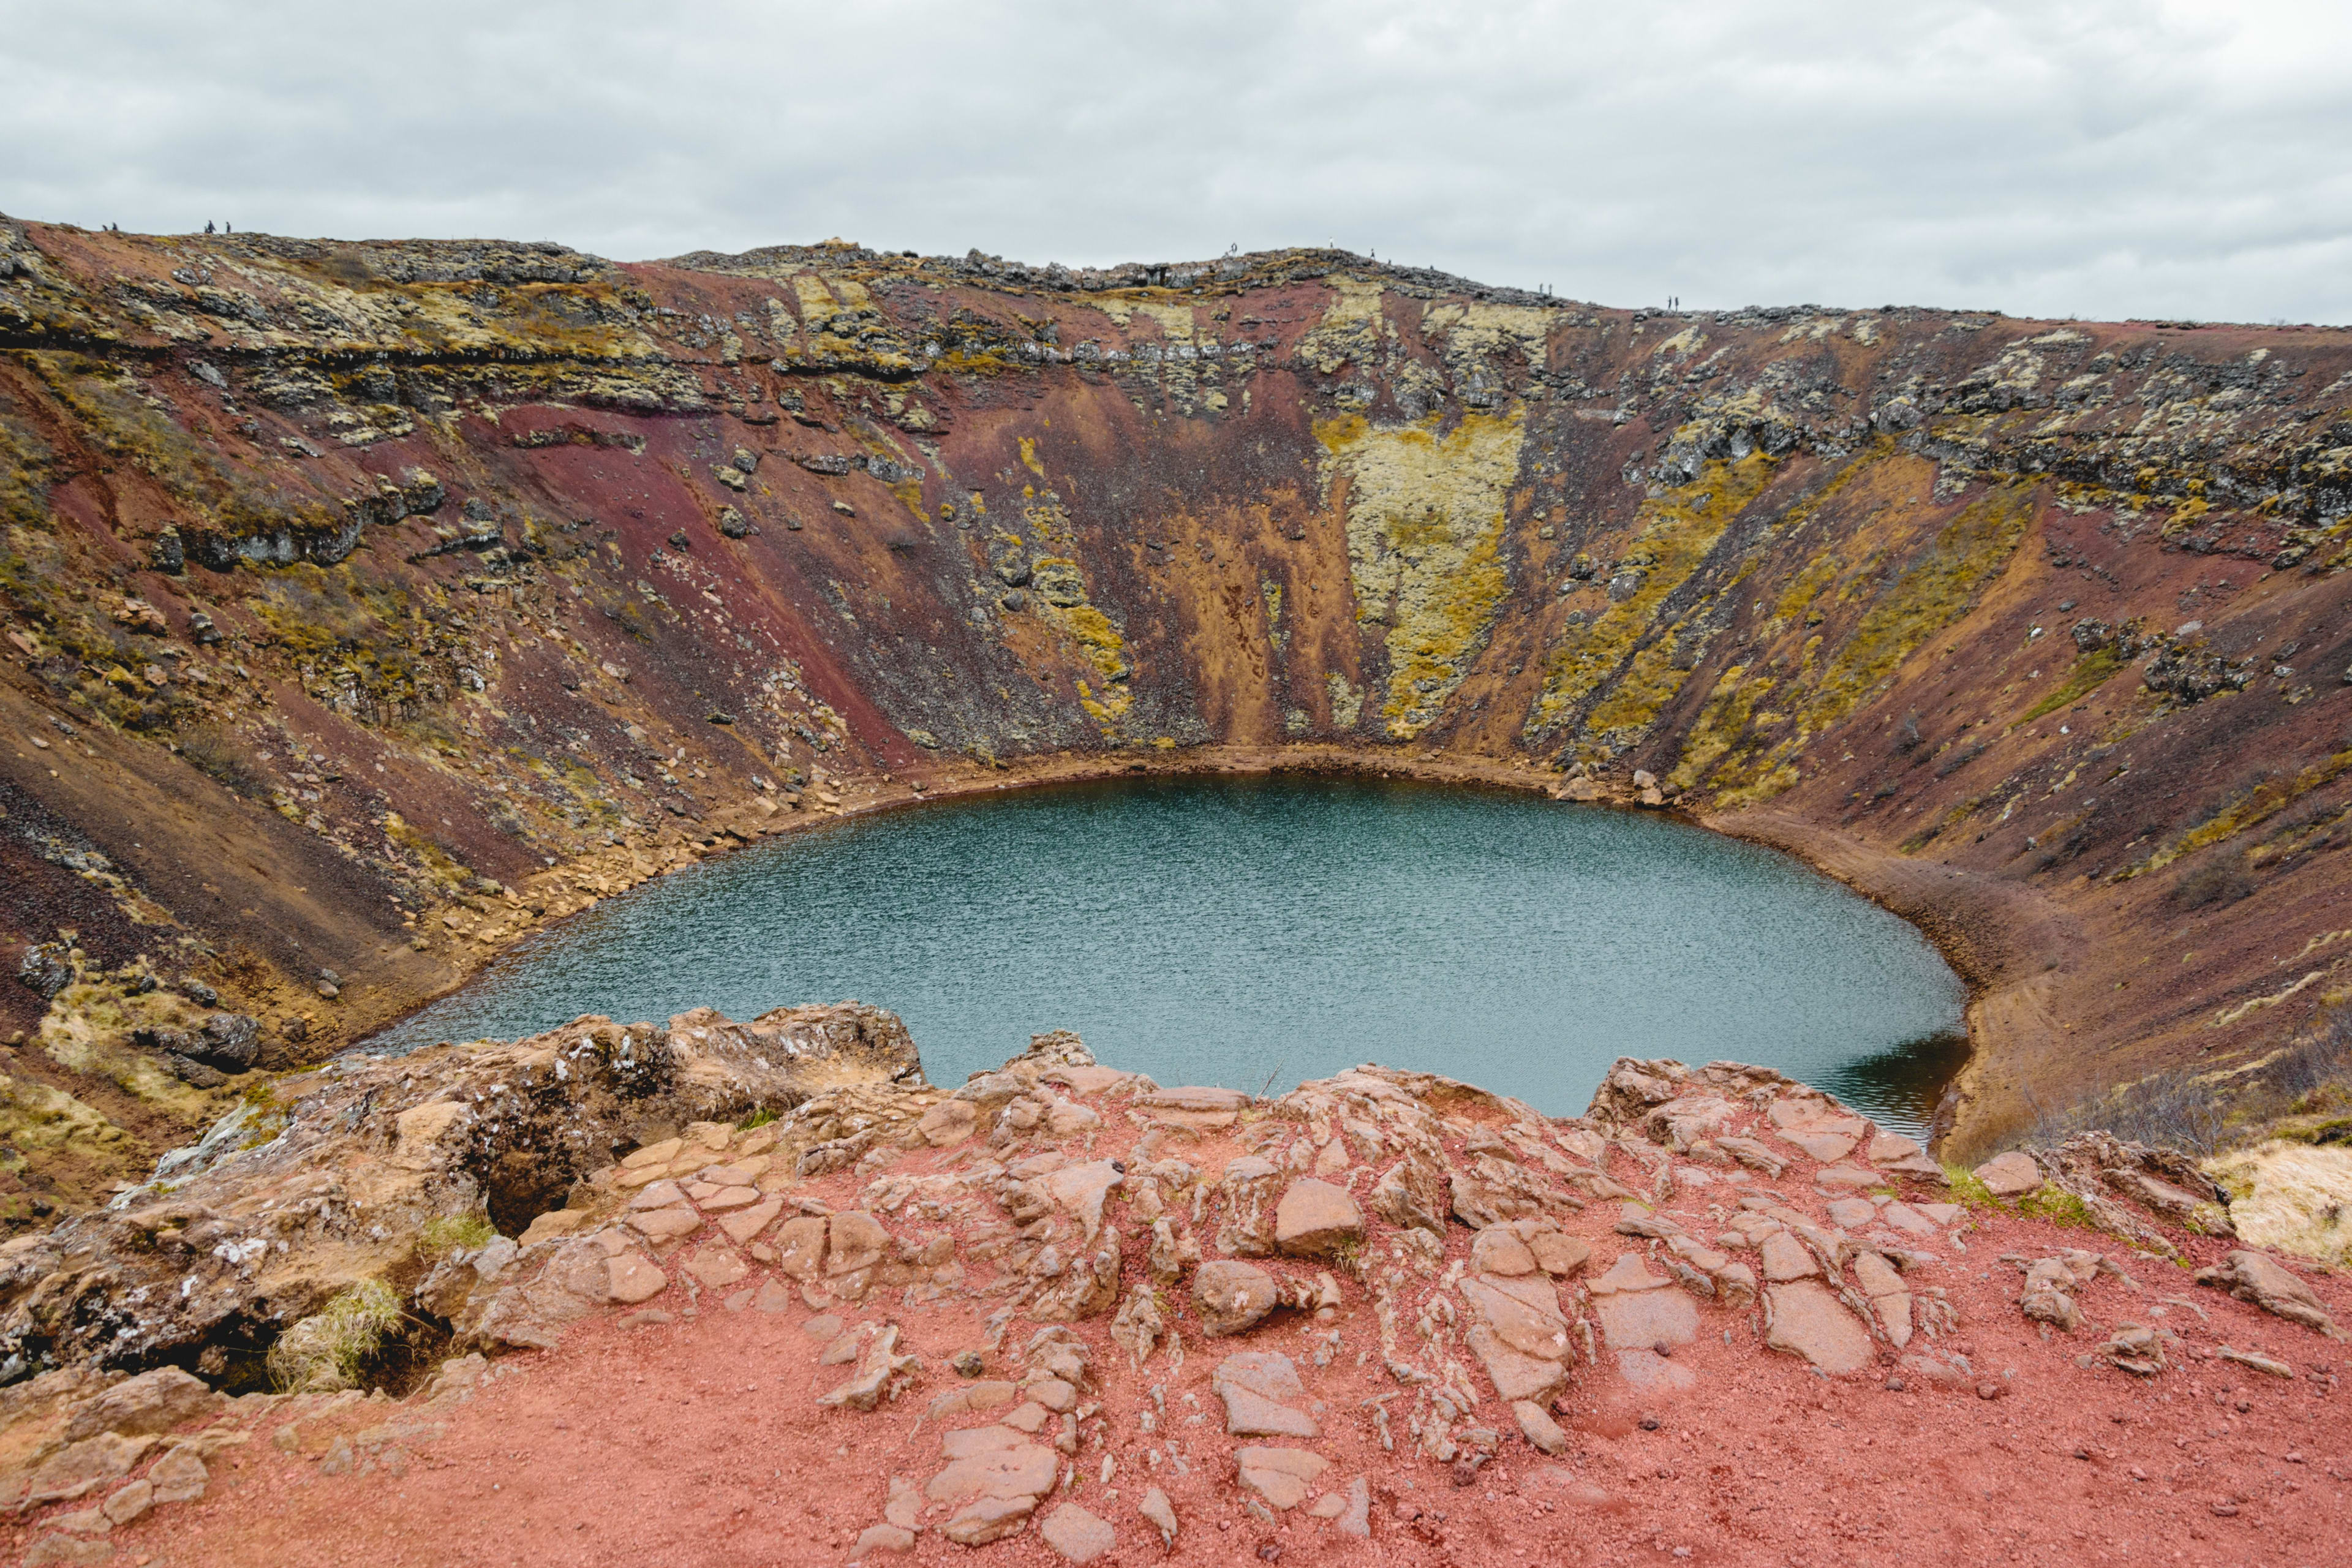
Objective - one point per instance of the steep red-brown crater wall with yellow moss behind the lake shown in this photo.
(375, 603)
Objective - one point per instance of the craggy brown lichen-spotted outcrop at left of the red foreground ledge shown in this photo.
(380, 1167)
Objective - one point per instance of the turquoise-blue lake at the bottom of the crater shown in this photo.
(1271, 930)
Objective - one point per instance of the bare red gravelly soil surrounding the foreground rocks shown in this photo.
(700, 1440)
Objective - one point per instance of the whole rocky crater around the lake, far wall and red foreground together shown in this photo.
(373, 605)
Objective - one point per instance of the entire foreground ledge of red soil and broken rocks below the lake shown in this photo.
(1718, 1315)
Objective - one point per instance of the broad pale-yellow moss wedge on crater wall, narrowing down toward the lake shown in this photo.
(1426, 547)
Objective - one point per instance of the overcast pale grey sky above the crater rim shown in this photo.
(2050, 159)
